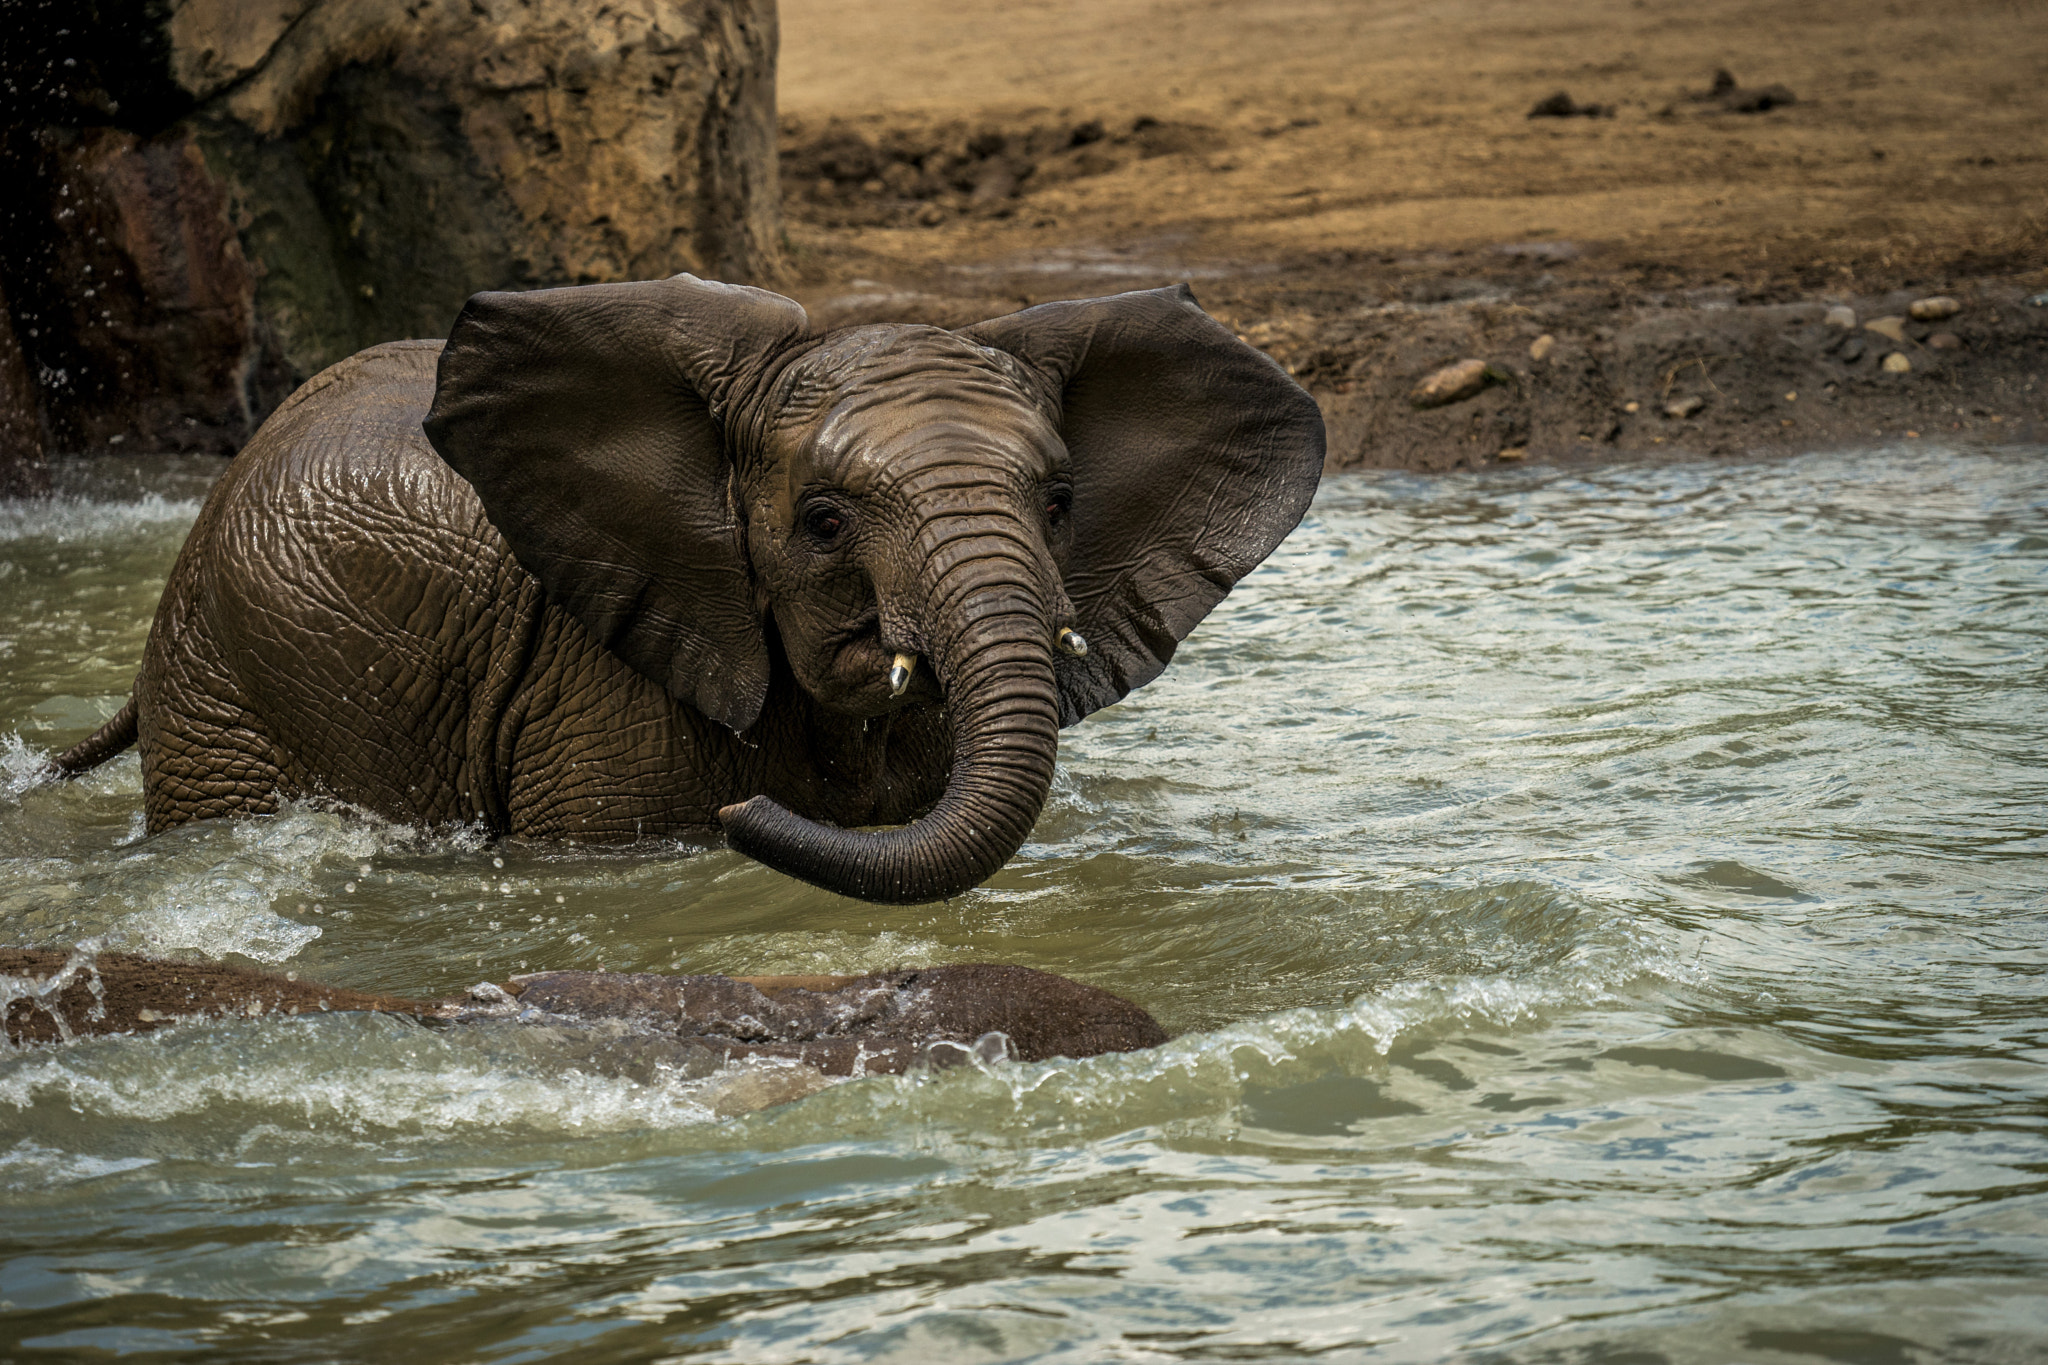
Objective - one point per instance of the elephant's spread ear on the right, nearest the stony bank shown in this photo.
(1193, 457)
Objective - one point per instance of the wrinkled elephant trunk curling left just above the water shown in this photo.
(994, 662)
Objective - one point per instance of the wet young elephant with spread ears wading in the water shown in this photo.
(648, 560)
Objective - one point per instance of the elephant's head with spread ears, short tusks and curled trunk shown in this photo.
(1017, 521)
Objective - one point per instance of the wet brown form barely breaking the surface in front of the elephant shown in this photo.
(839, 1026)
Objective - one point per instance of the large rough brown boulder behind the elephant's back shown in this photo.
(228, 195)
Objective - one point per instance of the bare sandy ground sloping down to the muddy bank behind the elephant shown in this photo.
(1340, 179)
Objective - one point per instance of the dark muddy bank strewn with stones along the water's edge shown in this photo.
(1689, 376)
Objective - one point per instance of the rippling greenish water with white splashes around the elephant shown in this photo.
(1605, 918)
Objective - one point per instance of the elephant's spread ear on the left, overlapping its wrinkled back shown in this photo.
(591, 423)
